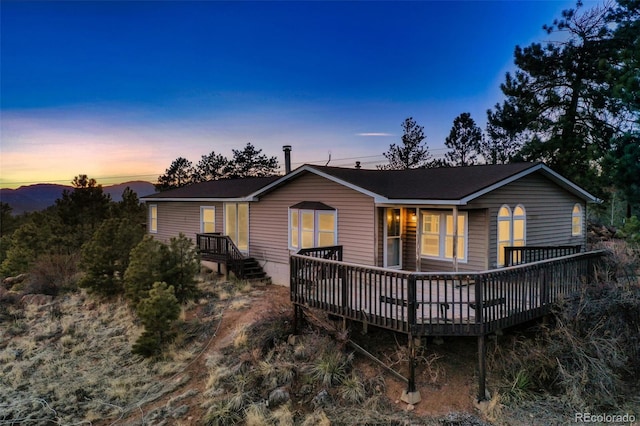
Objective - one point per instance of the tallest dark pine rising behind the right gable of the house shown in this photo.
(560, 101)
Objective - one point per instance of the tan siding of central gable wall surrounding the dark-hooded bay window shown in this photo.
(269, 219)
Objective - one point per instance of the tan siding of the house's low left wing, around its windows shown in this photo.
(177, 217)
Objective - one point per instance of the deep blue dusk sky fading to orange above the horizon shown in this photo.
(118, 90)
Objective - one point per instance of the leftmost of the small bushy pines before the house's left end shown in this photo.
(105, 258)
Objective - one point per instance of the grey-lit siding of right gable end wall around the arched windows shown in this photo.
(548, 210)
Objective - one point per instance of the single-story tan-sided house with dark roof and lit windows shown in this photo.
(443, 219)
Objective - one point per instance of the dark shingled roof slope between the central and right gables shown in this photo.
(446, 183)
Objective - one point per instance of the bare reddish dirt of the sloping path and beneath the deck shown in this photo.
(445, 388)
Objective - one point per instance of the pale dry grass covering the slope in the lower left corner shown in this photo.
(76, 365)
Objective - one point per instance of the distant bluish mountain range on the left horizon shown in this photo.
(37, 197)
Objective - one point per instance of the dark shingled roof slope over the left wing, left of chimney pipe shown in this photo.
(223, 188)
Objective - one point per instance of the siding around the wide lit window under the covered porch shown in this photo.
(477, 247)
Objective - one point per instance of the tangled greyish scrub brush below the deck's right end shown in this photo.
(589, 355)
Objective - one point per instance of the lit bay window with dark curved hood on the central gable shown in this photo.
(312, 224)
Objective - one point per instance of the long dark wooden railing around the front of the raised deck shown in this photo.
(438, 303)
